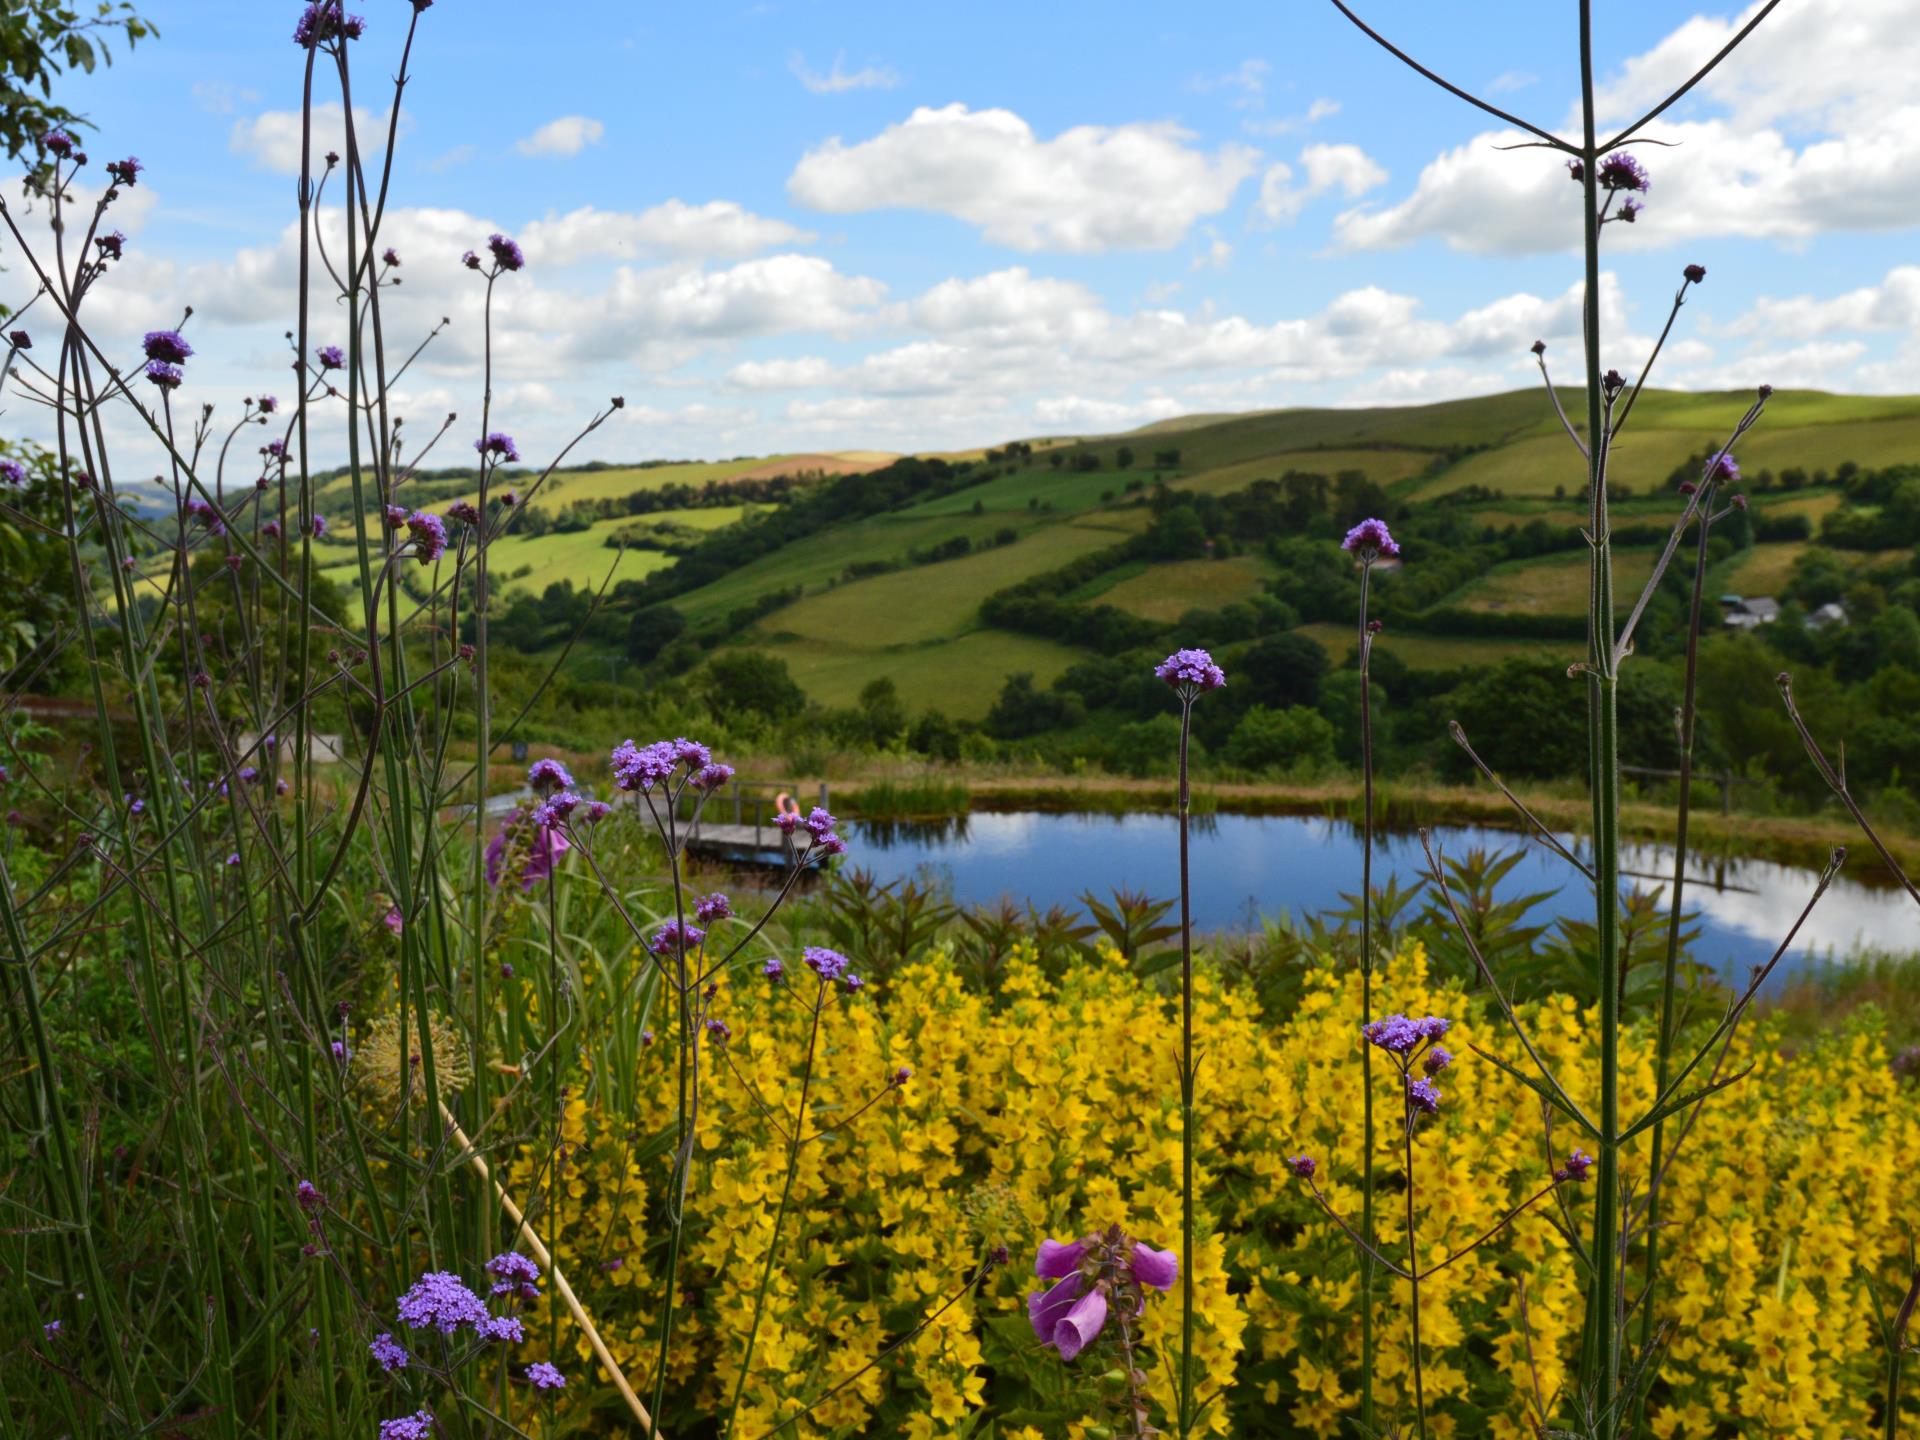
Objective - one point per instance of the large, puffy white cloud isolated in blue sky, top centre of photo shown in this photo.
(1090, 189)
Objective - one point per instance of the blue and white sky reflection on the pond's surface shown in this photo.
(1270, 865)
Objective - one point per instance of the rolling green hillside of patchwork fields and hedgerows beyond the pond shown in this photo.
(898, 590)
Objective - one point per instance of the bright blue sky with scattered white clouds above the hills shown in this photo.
(807, 226)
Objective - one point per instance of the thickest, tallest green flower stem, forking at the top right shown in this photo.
(1602, 677)
